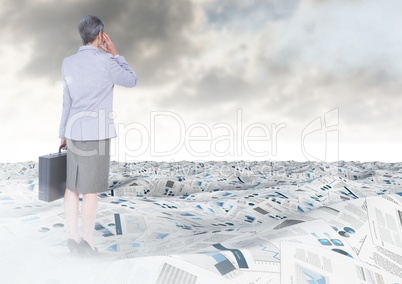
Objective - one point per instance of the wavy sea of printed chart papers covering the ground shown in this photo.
(213, 222)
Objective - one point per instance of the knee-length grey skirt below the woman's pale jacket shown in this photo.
(88, 165)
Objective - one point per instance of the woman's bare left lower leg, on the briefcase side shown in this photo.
(71, 199)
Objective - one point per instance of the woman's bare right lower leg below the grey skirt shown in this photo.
(88, 211)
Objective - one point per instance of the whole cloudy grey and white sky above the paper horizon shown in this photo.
(218, 79)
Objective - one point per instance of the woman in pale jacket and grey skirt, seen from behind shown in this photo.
(87, 125)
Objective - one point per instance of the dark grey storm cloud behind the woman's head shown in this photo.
(154, 28)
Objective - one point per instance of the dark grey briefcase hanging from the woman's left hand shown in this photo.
(52, 175)
